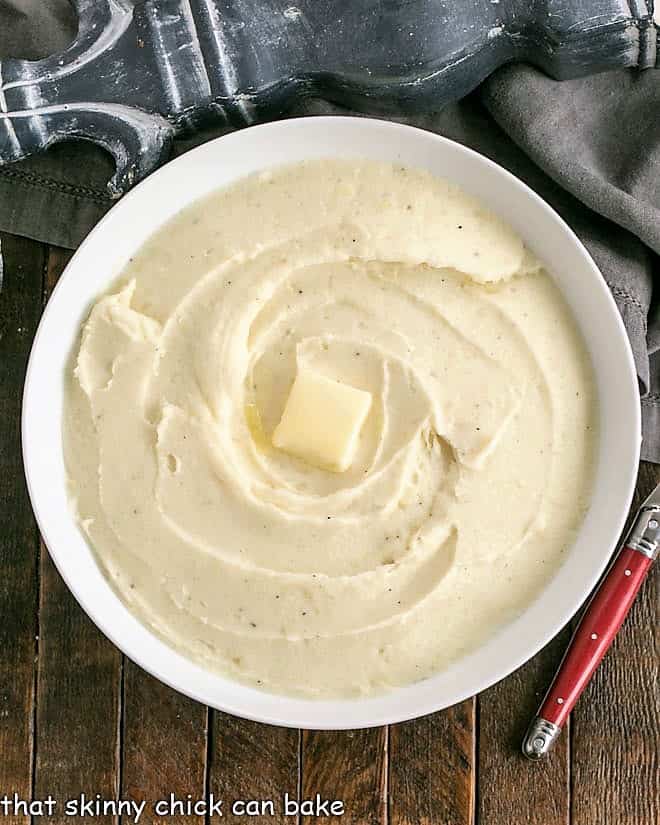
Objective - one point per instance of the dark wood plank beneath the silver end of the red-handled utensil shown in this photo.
(511, 789)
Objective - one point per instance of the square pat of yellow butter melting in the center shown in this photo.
(322, 420)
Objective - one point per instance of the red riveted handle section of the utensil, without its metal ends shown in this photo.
(598, 627)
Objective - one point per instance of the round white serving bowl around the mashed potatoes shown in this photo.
(223, 161)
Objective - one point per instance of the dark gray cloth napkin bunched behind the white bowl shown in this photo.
(590, 147)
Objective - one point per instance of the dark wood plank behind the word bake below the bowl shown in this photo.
(351, 766)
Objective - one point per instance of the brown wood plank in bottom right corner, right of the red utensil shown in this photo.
(616, 724)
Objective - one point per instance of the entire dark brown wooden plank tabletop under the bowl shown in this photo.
(75, 716)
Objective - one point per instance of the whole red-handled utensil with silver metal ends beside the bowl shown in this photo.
(599, 625)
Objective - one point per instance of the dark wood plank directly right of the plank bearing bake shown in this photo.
(432, 780)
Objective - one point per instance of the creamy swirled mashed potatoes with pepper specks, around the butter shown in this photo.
(473, 467)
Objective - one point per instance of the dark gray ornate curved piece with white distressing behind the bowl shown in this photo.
(139, 73)
